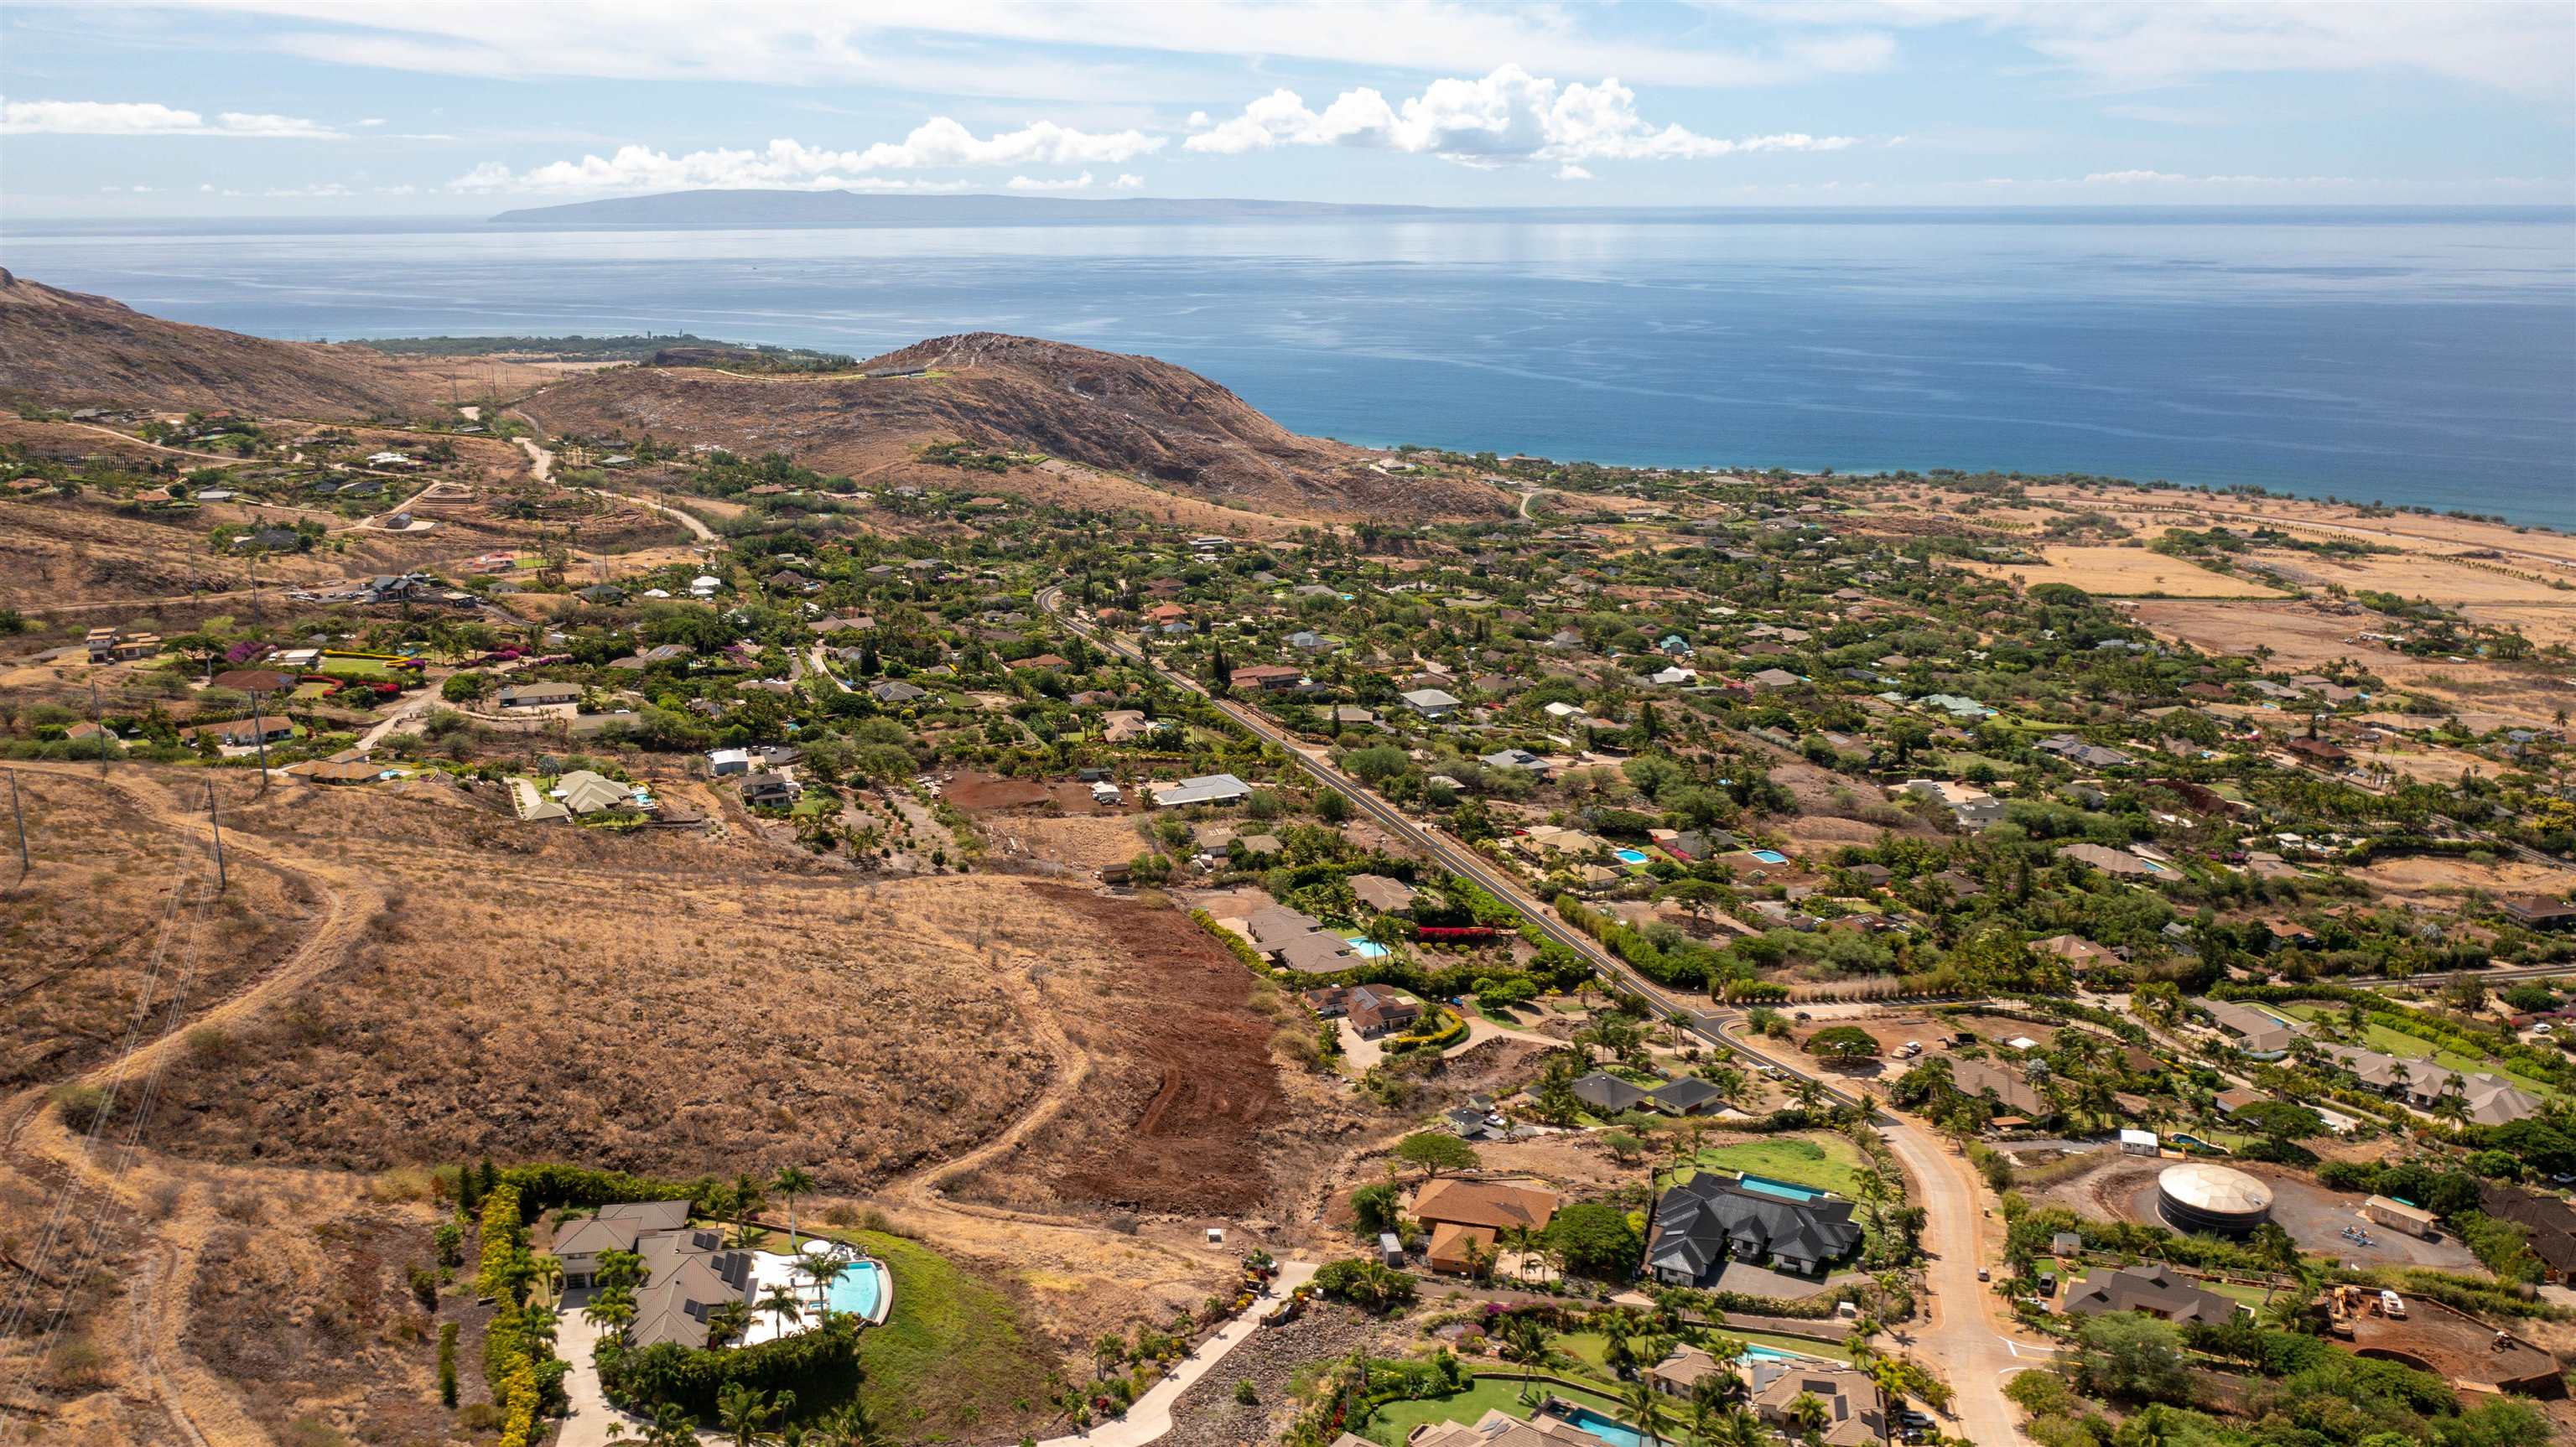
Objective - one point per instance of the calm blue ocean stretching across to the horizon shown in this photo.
(2418, 357)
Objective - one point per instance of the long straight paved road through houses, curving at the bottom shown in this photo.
(1962, 1345)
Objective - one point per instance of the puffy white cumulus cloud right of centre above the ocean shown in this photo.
(1508, 117)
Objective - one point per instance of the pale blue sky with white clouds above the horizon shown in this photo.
(470, 107)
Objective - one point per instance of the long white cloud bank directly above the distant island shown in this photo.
(795, 166)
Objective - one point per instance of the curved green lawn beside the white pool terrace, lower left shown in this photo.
(952, 1353)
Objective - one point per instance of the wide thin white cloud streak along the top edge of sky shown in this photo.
(1060, 50)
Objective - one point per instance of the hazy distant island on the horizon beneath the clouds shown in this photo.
(859, 210)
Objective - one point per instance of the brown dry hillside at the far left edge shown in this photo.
(66, 349)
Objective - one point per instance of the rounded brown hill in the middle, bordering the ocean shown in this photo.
(1117, 413)
